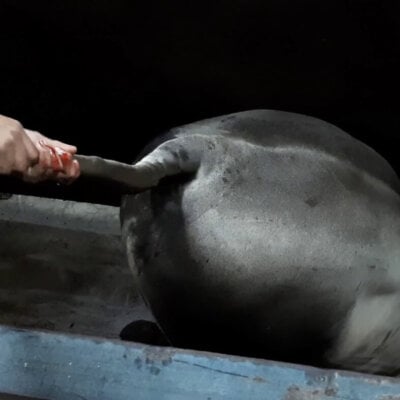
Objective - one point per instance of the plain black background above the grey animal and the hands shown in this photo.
(109, 75)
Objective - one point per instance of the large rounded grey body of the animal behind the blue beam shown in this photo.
(270, 234)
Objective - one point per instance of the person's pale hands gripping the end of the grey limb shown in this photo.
(22, 154)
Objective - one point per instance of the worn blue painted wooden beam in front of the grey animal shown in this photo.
(65, 367)
